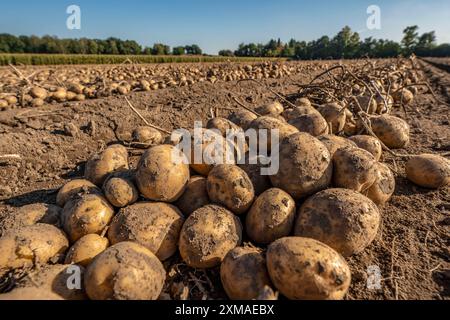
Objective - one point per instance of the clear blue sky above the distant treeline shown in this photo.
(216, 25)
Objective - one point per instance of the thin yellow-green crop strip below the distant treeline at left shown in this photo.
(56, 59)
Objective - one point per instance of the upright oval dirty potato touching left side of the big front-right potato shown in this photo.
(271, 216)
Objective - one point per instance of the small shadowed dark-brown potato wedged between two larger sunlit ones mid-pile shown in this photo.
(195, 196)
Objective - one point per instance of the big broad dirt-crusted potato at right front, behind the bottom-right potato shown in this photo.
(344, 219)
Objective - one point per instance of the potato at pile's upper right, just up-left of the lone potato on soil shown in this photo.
(392, 131)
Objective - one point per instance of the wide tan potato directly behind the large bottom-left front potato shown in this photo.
(155, 225)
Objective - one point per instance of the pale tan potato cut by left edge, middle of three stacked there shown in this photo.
(31, 245)
